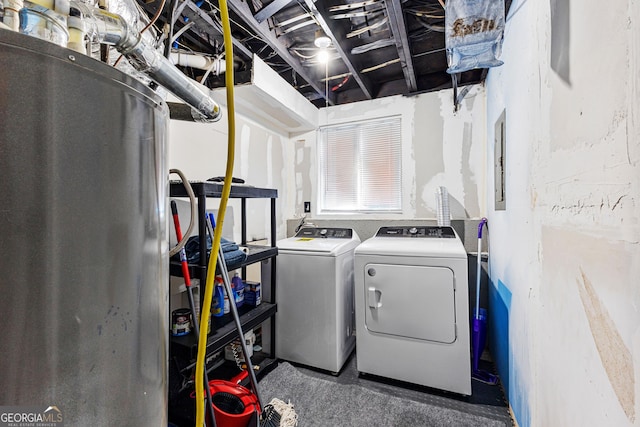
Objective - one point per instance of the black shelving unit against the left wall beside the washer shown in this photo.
(223, 330)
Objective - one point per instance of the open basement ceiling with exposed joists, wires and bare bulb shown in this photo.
(378, 47)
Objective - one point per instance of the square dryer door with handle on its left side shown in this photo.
(410, 301)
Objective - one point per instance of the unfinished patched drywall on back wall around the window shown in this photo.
(439, 148)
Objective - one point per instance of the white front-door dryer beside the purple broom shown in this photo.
(412, 307)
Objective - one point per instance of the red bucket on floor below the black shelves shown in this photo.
(233, 404)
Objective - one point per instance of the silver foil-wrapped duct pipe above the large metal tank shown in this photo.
(112, 29)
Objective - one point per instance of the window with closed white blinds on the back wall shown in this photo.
(360, 167)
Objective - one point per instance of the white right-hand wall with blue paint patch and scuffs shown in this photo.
(565, 255)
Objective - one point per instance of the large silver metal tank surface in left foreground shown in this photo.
(83, 238)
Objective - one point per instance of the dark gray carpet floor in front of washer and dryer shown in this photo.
(329, 401)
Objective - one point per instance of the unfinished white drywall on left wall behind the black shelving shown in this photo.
(261, 158)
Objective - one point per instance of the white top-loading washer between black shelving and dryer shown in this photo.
(316, 310)
